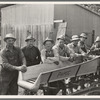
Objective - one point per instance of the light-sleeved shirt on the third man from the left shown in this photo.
(52, 53)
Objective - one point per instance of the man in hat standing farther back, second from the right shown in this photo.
(81, 43)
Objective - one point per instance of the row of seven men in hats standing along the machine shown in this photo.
(15, 59)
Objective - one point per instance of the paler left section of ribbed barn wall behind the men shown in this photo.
(19, 19)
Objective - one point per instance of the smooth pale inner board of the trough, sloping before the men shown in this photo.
(34, 71)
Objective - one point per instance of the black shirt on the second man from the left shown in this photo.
(32, 55)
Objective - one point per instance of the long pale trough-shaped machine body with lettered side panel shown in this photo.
(51, 72)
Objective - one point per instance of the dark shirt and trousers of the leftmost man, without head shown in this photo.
(8, 74)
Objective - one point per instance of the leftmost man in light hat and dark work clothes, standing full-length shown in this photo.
(13, 60)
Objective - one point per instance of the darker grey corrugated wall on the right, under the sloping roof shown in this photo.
(79, 19)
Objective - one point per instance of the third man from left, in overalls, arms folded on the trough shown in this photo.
(50, 55)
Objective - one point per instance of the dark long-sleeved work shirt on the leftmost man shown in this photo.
(11, 59)
